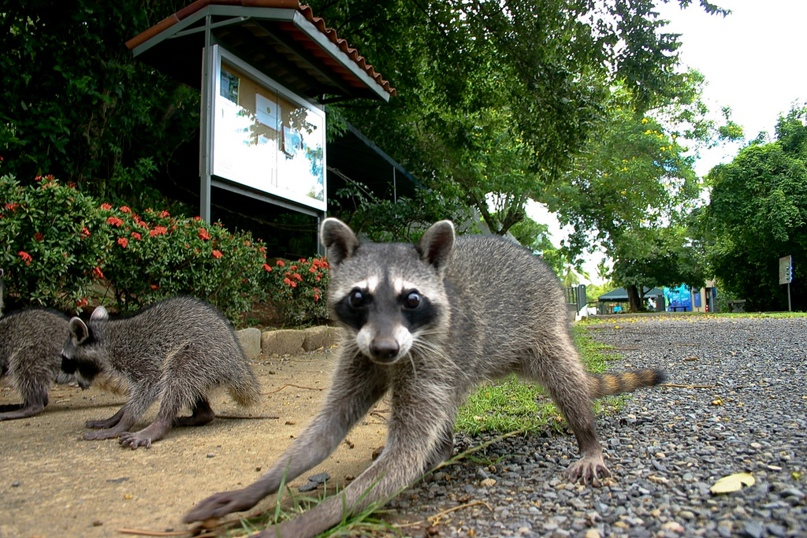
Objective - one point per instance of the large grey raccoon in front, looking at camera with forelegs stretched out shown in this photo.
(427, 323)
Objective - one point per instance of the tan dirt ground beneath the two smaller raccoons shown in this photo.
(53, 483)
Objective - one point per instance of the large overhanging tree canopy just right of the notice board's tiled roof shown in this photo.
(496, 99)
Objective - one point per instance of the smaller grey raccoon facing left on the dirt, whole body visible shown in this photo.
(177, 351)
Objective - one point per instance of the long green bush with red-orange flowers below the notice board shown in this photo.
(64, 250)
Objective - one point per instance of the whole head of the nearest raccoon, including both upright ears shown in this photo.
(391, 295)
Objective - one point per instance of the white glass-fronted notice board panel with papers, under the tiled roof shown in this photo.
(266, 141)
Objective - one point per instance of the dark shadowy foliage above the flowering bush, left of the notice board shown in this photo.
(75, 102)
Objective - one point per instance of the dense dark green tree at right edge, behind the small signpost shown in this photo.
(758, 213)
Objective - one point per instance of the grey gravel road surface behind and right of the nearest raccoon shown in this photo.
(738, 406)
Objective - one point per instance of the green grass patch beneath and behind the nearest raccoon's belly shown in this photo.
(512, 404)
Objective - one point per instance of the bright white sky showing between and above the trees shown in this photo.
(754, 61)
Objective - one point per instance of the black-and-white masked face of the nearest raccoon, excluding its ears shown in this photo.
(387, 317)
